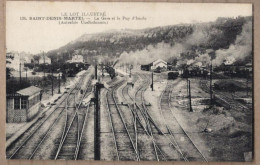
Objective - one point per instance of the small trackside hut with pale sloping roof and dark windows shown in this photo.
(23, 105)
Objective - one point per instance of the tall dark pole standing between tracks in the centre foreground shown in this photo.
(98, 87)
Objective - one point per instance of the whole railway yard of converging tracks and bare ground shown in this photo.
(138, 123)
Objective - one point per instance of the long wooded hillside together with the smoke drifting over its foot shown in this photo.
(185, 41)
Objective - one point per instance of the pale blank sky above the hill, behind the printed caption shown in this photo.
(35, 36)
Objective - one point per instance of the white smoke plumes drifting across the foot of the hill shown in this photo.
(241, 49)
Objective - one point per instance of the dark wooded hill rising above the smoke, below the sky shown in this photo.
(219, 34)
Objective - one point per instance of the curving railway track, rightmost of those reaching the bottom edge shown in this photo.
(179, 137)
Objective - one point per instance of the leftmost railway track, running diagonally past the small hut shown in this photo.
(26, 146)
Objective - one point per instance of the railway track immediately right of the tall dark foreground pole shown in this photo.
(123, 142)
